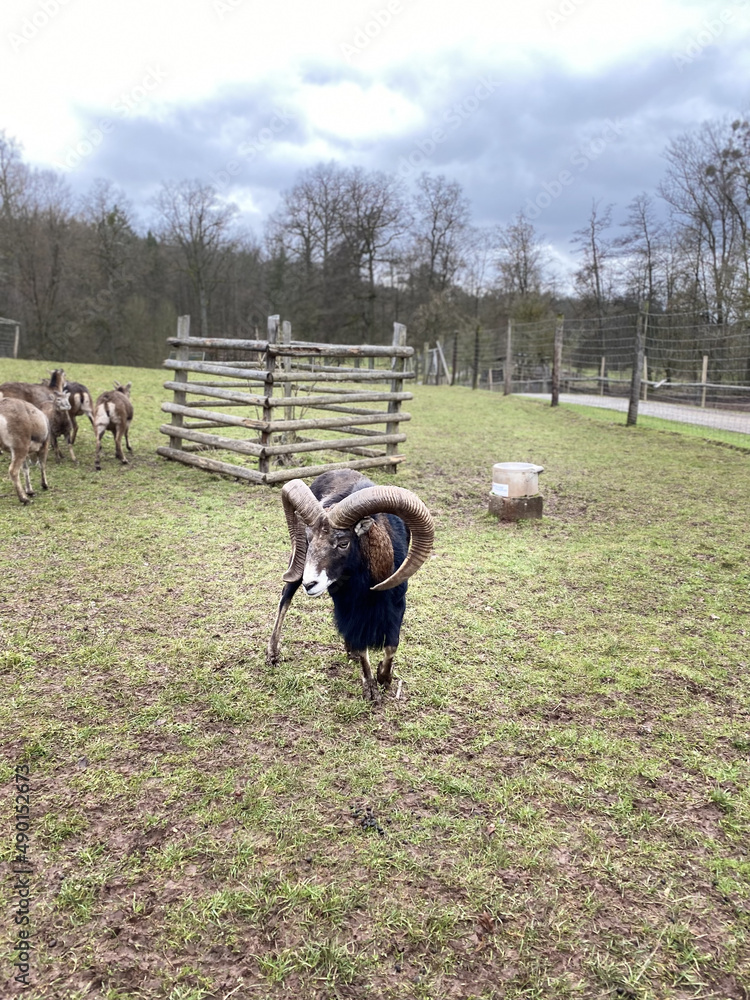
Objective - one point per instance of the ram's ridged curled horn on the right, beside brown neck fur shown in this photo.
(390, 500)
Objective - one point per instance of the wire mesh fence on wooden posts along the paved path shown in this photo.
(681, 362)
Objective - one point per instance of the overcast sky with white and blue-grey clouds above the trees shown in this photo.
(535, 104)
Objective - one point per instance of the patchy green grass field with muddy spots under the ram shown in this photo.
(557, 807)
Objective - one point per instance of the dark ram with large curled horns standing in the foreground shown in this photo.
(352, 539)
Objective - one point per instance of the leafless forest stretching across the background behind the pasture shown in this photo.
(348, 251)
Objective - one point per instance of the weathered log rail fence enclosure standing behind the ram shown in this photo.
(292, 377)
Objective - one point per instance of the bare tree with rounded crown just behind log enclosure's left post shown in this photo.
(193, 220)
